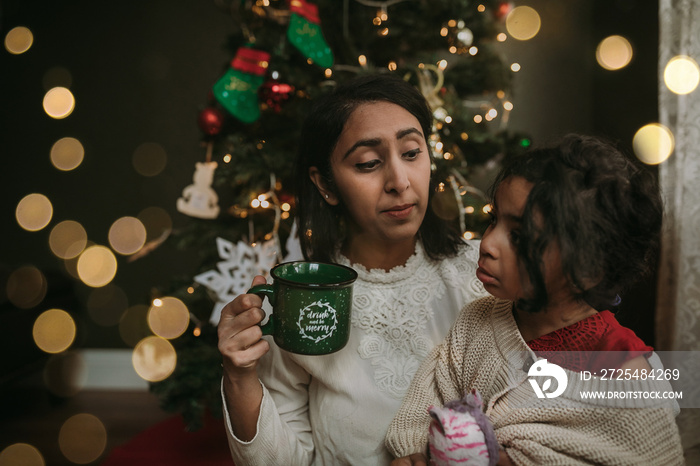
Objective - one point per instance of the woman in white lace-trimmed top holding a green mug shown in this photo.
(363, 194)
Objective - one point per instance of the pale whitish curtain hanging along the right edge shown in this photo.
(678, 304)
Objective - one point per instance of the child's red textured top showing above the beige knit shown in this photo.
(594, 343)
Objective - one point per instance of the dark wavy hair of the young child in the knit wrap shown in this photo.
(602, 209)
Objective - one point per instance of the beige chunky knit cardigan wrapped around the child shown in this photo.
(484, 350)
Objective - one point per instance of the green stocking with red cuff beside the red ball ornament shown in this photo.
(237, 90)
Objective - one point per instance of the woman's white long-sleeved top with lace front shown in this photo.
(335, 409)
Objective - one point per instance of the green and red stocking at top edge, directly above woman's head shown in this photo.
(305, 33)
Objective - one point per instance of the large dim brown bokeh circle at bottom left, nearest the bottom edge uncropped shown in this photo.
(82, 438)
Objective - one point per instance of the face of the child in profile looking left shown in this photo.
(500, 269)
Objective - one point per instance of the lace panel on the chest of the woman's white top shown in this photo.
(393, 308)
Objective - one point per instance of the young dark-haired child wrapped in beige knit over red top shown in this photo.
(572, 227)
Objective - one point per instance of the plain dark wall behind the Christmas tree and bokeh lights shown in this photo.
(141, 72)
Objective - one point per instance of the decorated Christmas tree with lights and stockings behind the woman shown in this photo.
(284, 55)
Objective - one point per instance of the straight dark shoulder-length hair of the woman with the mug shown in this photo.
(320, 225)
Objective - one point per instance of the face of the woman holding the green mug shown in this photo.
(381, 169)
